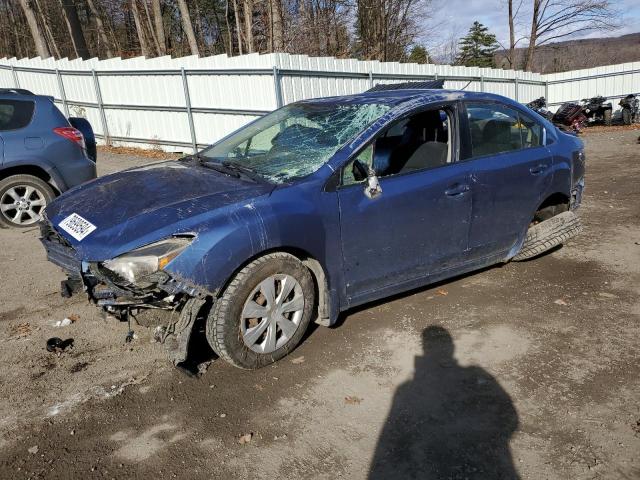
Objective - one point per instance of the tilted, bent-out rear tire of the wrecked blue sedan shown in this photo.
(548, 234)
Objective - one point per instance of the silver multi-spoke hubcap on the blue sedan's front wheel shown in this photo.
(272, 313)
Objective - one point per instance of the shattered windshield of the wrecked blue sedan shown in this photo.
(296, 140)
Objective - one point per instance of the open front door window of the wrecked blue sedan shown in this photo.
(420, 142)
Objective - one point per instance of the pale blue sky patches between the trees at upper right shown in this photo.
(456, 16)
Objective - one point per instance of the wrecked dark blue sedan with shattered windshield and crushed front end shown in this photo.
(315, 208)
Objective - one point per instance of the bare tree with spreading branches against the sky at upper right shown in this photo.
(554, 19)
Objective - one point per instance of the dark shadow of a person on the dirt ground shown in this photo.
(447, 422)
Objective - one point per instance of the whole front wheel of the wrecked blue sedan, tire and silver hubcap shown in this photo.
(263, 313)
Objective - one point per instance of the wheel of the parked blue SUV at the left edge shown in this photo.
(22, 200)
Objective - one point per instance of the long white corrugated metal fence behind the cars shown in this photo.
(183, 103)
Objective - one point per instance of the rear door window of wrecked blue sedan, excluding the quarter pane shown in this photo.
(494, 129)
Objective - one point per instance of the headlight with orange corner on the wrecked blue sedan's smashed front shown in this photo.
(146, 260)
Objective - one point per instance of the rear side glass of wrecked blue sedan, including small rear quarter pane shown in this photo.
(497, 128)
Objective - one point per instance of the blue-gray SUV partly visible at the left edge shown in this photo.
(42, 154)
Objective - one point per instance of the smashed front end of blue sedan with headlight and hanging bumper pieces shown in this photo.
(134, 286)
